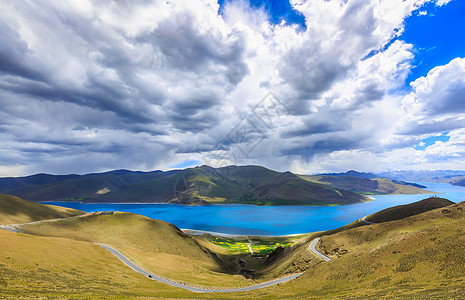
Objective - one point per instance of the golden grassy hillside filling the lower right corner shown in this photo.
(420, 257)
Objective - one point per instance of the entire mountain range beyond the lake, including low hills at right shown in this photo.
(206, 185)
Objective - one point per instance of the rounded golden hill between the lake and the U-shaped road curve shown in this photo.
(155, 245)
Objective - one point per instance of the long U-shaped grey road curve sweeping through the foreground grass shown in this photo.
(191, 288)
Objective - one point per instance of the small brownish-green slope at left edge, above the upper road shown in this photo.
(15, 210)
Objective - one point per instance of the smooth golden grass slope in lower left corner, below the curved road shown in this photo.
(35, 267)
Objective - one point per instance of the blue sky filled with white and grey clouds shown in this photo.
(307, 85)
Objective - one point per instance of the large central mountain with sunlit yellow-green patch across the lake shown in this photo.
(245, 184)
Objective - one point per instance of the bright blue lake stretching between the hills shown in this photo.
(267, 220)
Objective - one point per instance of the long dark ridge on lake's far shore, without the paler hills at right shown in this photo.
(200, 185)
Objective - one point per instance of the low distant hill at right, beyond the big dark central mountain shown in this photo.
(365, 185)
